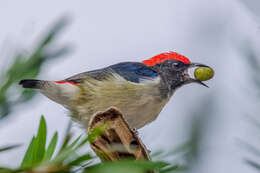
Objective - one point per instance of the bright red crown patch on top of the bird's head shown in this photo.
(166, 56)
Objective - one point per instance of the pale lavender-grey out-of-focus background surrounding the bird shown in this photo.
(93, 34)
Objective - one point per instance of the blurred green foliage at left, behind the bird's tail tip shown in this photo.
(28, 66)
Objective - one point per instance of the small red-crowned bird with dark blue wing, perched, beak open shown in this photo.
(139, 90)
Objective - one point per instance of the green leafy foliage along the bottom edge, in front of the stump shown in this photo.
(41, 157)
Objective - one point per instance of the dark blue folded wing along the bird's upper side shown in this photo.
(131, 71)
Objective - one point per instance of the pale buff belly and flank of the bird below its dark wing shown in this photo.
(140, 103)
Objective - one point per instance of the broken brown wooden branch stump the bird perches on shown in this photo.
(118, 140)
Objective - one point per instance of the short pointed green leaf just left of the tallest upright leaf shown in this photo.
(28, 157)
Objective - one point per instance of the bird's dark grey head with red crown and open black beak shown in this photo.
(173, 69)
